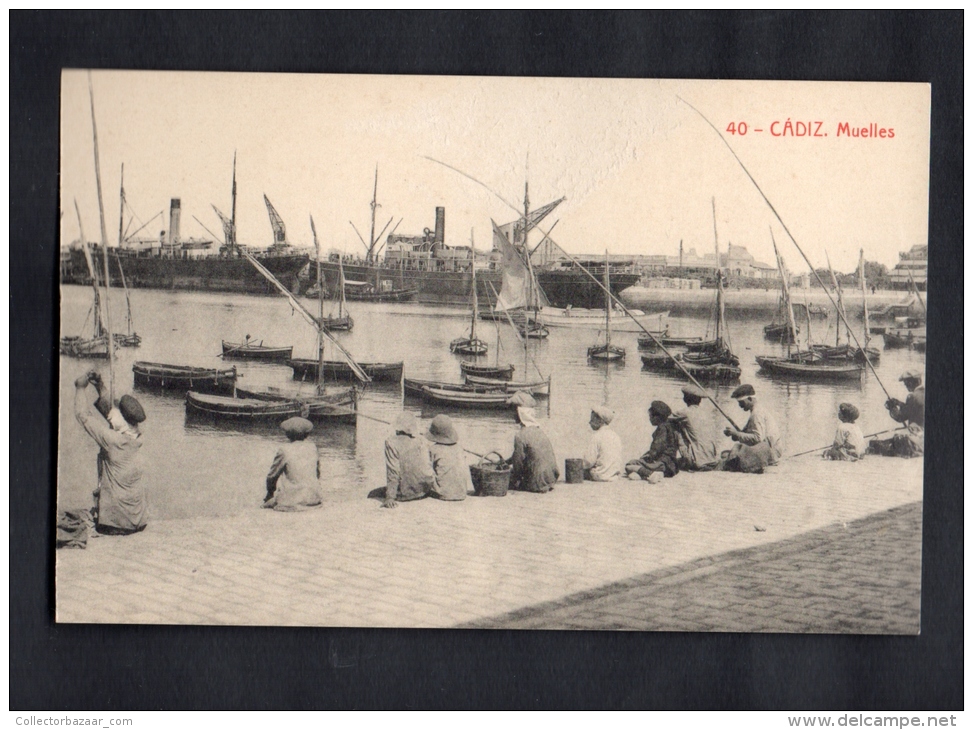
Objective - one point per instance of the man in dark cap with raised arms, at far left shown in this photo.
(120, 505)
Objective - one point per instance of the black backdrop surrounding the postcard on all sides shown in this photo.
(152, 667)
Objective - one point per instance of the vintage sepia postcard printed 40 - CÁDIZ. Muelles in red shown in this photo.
(442, 352)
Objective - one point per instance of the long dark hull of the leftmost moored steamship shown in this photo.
(210, 273)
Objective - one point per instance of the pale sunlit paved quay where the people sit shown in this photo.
(441, 564)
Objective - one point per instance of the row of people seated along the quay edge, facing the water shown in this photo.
(433, 464)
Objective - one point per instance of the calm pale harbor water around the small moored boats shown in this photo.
(205, 469)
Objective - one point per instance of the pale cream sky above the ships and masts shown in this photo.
(639, 168)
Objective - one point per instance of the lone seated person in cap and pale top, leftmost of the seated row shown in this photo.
(292, 482)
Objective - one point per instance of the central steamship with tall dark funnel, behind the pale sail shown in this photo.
(442, 274)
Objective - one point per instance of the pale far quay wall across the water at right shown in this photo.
(694, 301)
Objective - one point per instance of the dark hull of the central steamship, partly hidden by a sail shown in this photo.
(563, 288)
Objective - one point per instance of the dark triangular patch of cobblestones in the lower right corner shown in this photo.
(861, 578)
